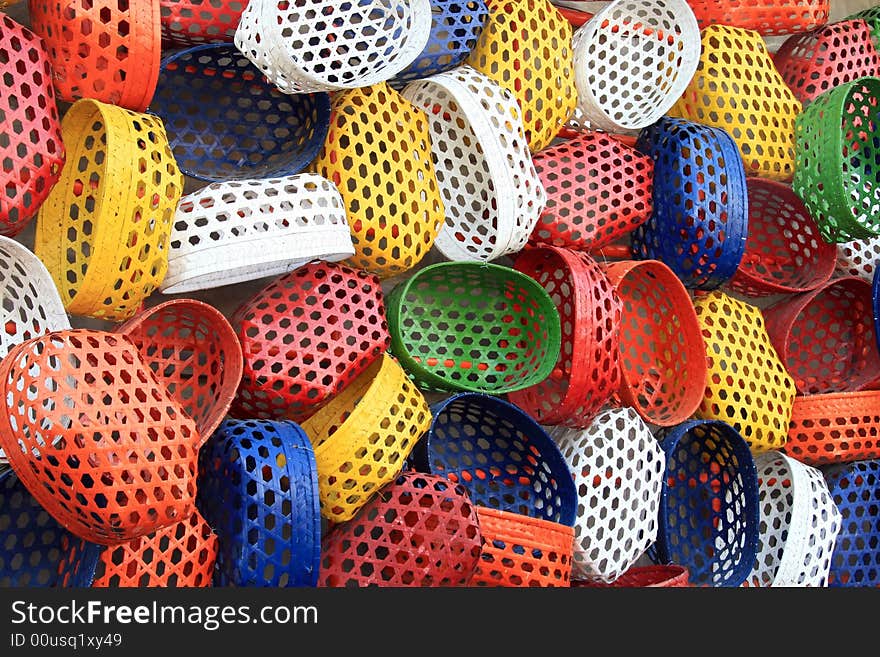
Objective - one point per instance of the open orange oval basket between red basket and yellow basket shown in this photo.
(662, 359)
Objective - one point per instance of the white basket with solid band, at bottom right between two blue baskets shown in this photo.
(799, 524)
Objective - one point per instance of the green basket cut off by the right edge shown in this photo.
(838, 161)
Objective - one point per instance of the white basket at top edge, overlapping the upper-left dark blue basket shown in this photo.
(326, 45)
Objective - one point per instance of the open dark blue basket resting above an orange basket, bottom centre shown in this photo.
(504, 459)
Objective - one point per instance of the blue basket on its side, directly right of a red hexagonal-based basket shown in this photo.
(699, 222)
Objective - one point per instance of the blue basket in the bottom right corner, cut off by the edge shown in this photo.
(855, 488)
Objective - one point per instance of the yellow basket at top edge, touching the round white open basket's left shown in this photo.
(525, 47)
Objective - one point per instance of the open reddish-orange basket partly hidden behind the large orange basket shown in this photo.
(193, 351)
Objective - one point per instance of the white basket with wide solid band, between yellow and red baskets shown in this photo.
(491, 191)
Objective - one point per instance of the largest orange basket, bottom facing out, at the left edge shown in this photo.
(89, 397)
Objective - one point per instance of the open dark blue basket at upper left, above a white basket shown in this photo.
(225, 121)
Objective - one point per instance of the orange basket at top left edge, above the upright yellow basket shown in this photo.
(107, 50)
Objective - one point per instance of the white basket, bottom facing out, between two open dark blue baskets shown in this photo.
(618, 469)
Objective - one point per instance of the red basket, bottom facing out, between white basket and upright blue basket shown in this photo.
(597, 191)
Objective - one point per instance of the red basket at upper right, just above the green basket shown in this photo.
(815, 62)
